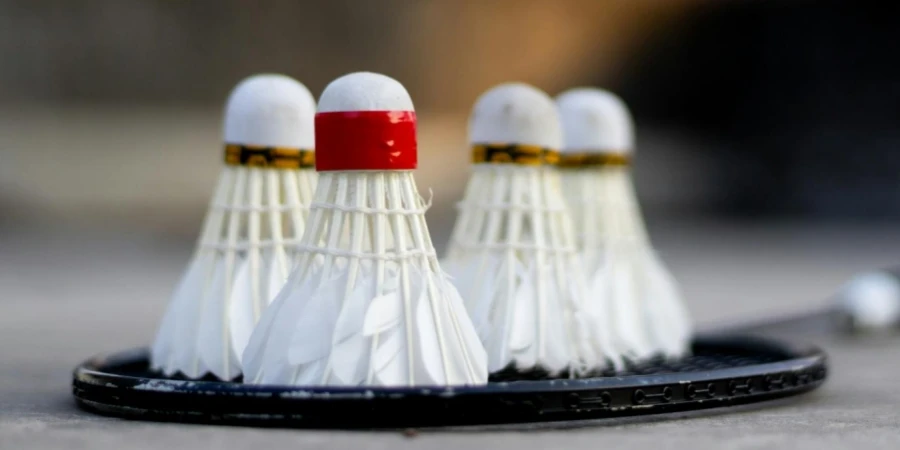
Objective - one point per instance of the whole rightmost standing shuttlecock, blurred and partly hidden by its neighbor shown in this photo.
(642, 296)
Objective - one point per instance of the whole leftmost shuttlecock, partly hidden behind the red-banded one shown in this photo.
(253, 225)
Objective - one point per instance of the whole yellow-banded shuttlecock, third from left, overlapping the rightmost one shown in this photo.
(512, 249)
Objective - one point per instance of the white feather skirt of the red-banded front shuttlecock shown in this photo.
(367, 303)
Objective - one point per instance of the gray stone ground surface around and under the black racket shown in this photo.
(68, 294)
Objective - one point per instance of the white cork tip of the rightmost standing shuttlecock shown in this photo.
(595, 120)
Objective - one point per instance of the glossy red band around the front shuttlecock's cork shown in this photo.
(366, 140)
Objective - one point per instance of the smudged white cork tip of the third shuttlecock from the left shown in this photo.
(515, 113)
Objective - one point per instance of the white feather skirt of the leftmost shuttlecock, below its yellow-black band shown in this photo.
(242, 260)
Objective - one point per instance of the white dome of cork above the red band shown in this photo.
(365, 91)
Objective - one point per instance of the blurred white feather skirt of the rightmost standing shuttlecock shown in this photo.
(625, 273)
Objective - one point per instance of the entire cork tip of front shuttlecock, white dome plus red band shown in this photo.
(365, 122)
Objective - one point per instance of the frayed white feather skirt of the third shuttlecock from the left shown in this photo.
(512, 256)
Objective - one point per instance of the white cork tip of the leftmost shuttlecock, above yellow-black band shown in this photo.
(270, 110)
